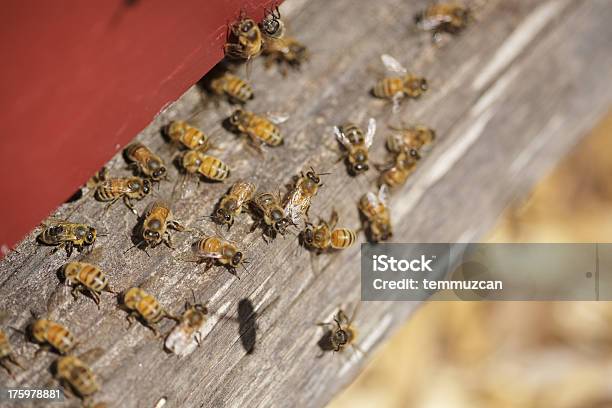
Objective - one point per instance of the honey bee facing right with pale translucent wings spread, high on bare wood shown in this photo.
(396, 88)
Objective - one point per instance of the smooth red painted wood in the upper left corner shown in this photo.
(80, 78)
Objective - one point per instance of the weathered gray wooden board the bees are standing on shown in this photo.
(508, 98)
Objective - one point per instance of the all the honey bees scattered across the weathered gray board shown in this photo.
(274, 213)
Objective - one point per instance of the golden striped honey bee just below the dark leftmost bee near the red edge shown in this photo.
(82, 276)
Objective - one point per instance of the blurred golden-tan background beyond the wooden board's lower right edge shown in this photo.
(512, 354)
